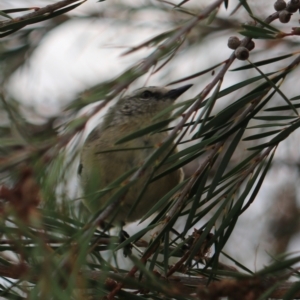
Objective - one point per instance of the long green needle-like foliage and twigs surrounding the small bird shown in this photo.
(52, 247)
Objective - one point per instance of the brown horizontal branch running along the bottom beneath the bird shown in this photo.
(177, 285)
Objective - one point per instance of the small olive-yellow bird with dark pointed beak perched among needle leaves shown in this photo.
(101, 166)
